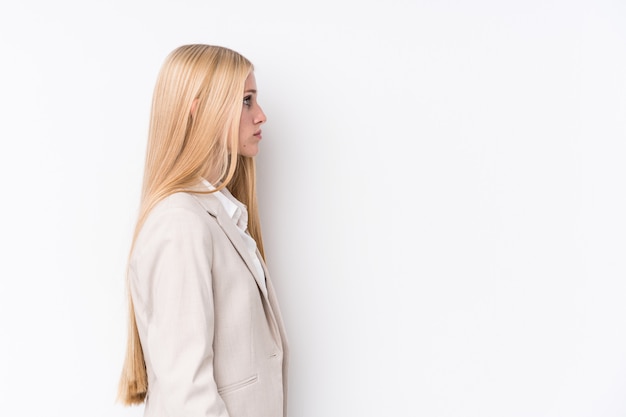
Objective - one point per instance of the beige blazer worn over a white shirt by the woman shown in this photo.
(213, 338)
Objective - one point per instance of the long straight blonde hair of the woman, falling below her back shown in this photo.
(182, 148)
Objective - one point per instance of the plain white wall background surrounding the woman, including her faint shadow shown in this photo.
(442, 190)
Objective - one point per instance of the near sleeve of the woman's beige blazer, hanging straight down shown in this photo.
(172, 261)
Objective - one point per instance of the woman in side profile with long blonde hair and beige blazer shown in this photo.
(206, 337)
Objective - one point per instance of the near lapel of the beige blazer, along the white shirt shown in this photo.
(213, 206)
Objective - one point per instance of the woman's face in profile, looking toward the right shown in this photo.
(252, 117)
